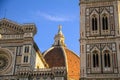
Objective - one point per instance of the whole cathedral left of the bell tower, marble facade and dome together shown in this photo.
(21, 59)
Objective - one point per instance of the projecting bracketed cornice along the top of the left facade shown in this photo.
(18, 28)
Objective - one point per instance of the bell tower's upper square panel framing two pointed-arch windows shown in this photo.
(99, 21)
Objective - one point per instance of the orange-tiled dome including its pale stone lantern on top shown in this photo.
(60, 56)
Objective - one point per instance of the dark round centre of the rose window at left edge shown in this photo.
(3, 62)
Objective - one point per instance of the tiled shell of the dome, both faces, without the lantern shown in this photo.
(56, 58)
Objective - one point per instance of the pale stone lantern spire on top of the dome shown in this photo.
(59, 38)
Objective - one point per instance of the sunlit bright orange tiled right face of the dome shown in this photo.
(73, 62)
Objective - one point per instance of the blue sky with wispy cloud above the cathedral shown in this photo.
(47, 15)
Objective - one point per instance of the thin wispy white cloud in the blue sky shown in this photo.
(54, 17)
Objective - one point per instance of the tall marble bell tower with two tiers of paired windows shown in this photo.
(100, 39)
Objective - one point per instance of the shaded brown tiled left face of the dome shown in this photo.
(55, 58)
